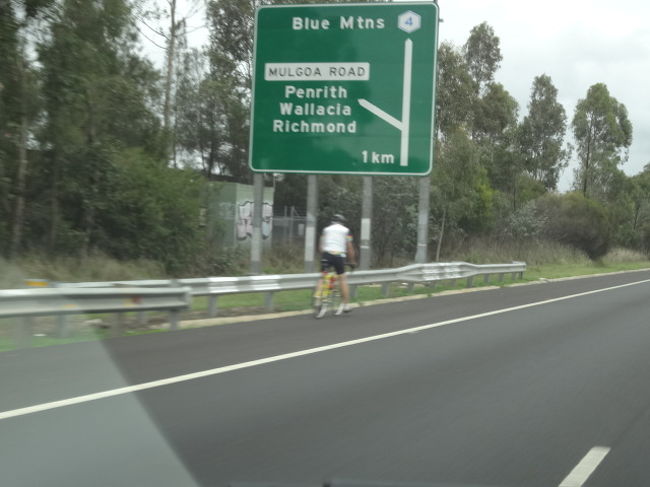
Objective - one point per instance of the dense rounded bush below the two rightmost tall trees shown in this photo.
(574, 220)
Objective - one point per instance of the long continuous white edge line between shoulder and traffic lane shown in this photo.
(244, 365)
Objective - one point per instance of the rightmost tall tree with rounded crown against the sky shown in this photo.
(603, 135)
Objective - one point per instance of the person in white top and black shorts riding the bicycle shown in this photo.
(335, 244)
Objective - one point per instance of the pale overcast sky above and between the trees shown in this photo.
(576, 42)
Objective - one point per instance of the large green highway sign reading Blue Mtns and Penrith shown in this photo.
(345, 88)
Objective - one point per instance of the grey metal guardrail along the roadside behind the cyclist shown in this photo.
(174, 295)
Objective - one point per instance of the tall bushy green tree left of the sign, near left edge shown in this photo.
(96, 92)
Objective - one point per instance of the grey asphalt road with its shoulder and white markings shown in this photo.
(538, 385)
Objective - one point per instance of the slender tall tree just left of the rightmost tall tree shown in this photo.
(542, 134)
